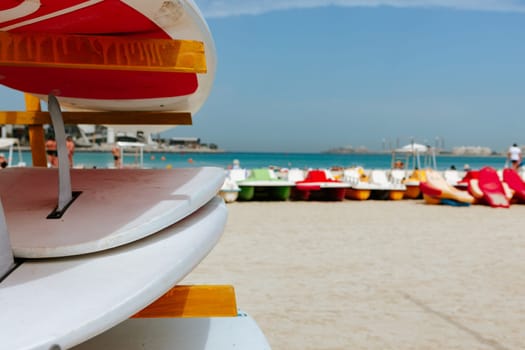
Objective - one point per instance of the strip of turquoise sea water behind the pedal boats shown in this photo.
(286, 160)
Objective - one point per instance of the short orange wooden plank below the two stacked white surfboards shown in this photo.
(193, 301)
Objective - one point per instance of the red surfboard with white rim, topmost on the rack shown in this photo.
(148, 55)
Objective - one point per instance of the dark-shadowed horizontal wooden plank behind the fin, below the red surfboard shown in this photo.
(98, 118)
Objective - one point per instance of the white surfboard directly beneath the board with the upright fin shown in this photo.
(59, 303)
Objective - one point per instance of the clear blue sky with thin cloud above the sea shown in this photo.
(309, 75)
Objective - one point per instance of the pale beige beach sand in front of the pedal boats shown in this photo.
(375, 274)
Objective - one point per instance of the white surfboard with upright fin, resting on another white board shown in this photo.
(115, 207)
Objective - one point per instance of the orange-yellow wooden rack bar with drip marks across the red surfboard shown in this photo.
(101, 52)
